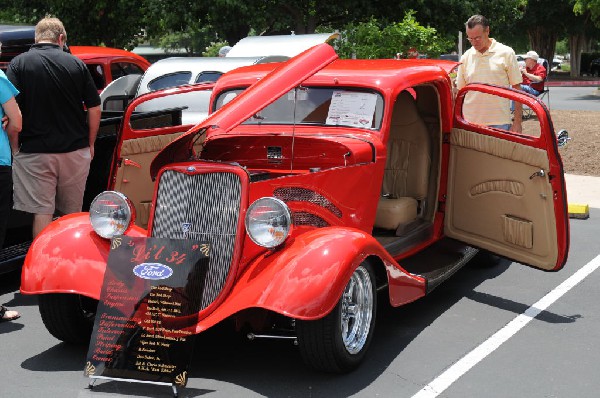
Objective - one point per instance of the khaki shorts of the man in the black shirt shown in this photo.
(45, 182)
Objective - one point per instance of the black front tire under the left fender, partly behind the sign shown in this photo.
(68, 317)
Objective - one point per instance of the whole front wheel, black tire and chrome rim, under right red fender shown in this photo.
(339, 341)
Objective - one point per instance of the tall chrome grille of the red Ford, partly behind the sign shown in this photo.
(202, 207)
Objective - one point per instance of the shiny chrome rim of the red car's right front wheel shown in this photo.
(357, 311)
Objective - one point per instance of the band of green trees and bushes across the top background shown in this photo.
(194, 25)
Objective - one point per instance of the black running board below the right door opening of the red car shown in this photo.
(439, 261)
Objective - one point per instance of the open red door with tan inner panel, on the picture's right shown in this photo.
(506, 191)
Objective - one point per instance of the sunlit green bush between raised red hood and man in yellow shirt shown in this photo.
(371, 40)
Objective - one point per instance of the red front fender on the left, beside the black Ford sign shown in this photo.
(68, 257)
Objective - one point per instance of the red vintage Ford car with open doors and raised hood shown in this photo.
(318, 183)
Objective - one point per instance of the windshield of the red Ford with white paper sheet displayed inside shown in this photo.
(319, 106)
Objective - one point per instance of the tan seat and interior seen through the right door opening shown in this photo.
(412, 164)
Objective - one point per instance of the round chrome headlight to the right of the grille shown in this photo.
(268, 222)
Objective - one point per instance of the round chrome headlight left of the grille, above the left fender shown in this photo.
(111, 213)
